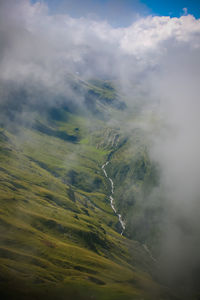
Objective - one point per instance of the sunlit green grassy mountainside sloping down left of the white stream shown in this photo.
(59, 236)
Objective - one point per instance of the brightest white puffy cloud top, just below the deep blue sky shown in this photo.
(149, 34)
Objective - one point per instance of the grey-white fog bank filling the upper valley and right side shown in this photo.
(156, 59)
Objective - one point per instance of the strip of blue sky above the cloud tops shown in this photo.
(123, 12)
